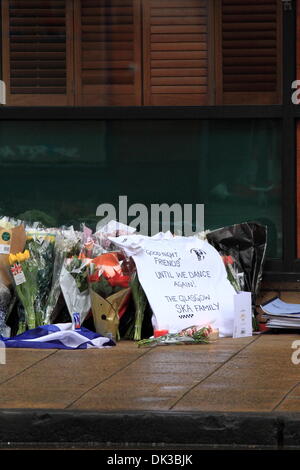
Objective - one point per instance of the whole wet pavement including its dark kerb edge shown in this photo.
(236, 392)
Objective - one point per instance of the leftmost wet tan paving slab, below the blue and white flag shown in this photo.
(60, 376)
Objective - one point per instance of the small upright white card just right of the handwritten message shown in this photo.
(242, 315)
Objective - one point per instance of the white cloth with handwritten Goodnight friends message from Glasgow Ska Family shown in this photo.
(184, 279)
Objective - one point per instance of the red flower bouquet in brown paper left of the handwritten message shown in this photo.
(109, 284)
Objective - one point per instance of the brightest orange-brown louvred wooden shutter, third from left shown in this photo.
(175, 45)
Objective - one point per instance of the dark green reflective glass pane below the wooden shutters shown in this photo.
(68, 169)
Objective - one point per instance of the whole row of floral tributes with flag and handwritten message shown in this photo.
(63, 288)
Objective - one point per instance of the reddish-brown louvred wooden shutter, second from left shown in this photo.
(107, 51)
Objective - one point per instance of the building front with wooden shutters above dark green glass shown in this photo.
(228, 143)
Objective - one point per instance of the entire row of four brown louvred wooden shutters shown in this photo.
(89, 52)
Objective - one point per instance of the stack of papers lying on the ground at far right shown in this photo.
(281, 314)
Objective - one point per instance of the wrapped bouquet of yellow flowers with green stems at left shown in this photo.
(25, 271)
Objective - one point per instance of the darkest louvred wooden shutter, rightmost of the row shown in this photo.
(248, 35)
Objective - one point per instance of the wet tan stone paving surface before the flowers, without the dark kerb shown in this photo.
(245, 374)
